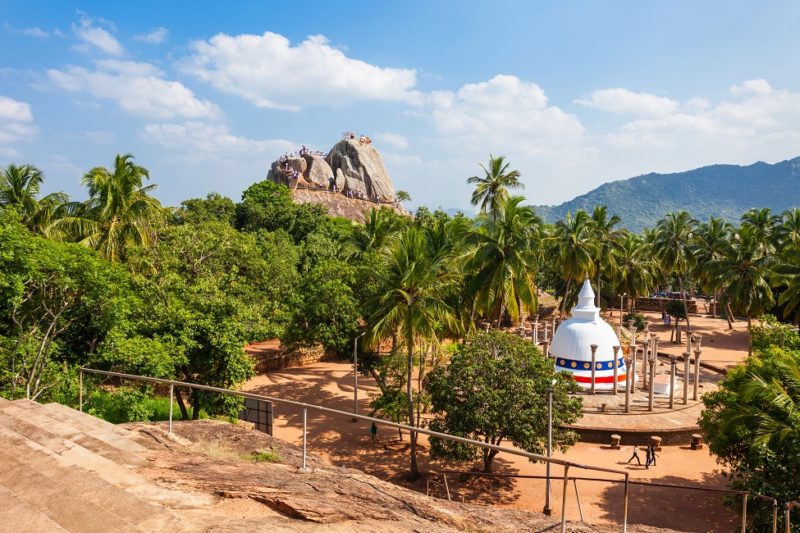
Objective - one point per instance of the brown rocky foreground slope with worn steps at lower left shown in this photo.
(62, 470)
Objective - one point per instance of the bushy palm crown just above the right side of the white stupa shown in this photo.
(636, 270)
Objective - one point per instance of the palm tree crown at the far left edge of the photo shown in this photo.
(19, 188)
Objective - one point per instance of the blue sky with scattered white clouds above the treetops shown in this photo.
(575, 94)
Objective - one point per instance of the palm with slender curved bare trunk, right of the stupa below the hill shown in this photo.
(672, 245)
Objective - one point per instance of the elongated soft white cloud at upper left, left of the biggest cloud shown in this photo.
(137, 88)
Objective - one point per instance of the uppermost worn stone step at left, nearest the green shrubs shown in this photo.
(51, 426)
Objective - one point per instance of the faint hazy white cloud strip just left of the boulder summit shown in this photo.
(203, 140)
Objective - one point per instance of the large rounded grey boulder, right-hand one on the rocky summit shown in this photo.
(362, 168)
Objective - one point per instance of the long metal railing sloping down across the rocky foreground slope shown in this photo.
(411, 429)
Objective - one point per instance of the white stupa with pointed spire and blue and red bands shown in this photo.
(571, 345)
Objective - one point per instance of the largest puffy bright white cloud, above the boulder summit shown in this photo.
(271, 73)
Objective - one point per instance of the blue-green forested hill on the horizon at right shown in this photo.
(724, 191)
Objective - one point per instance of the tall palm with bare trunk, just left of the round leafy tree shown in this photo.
(414, 304)
